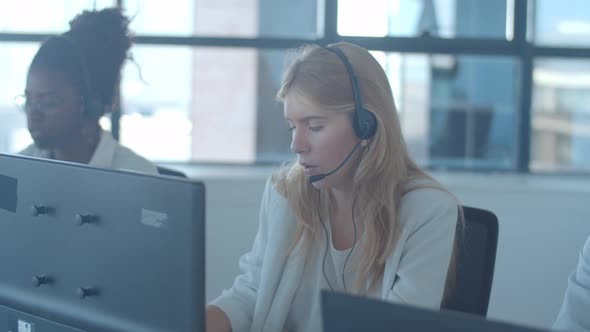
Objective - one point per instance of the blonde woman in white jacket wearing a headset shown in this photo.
(354, 214)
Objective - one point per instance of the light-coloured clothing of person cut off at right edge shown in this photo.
(575, 310)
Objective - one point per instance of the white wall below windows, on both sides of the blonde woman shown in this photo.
(543, 224)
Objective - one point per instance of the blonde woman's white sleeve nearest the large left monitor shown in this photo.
(239, 301)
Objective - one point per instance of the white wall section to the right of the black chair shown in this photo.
(543, 225)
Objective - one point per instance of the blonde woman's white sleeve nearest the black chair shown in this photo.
(428, 218)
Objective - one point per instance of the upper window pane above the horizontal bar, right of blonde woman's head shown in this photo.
(437, 18)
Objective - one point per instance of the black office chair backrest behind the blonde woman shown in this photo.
(475, 262)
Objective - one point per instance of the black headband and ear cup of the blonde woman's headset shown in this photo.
(364, 122)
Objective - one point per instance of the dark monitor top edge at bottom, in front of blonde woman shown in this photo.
(344, 313)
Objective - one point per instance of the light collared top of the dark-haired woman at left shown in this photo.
(108, 154)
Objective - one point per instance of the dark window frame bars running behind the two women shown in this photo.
(520, 47)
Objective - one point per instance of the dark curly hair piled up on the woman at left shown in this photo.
(91, 54)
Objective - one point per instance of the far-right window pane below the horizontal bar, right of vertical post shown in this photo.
(561, 115)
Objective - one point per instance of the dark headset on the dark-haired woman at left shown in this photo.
(93, 105)
